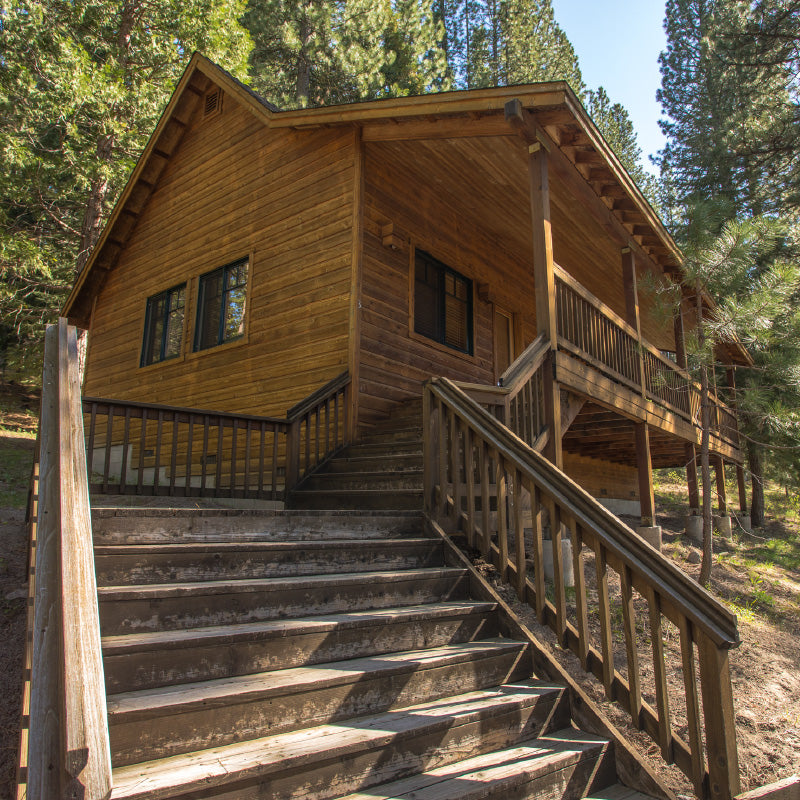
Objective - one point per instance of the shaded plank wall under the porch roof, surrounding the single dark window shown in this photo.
(413, 187)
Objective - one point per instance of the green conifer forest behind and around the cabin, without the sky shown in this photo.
(83, 82)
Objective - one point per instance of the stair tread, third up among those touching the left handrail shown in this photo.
(220, 634)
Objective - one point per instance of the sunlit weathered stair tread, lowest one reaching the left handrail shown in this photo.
(296, 749)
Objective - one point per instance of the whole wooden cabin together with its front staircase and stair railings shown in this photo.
(404, 319)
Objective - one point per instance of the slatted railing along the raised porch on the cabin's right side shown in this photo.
(594, 333)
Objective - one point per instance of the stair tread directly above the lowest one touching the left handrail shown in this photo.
(244, 688)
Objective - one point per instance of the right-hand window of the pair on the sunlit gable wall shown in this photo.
(221, 305)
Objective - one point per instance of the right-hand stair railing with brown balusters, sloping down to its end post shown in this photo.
(463, 439)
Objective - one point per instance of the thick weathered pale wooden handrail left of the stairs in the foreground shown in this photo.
(68, 753)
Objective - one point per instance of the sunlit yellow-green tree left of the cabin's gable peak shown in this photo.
(81, 87)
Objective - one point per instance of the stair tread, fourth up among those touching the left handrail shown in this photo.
(188, 589)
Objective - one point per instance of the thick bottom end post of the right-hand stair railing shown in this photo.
(720, 727)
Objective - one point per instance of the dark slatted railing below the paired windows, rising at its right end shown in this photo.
(150, 449)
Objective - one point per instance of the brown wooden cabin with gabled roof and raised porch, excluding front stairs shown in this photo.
(256, 254)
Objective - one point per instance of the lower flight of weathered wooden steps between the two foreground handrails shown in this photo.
(318, 655)
